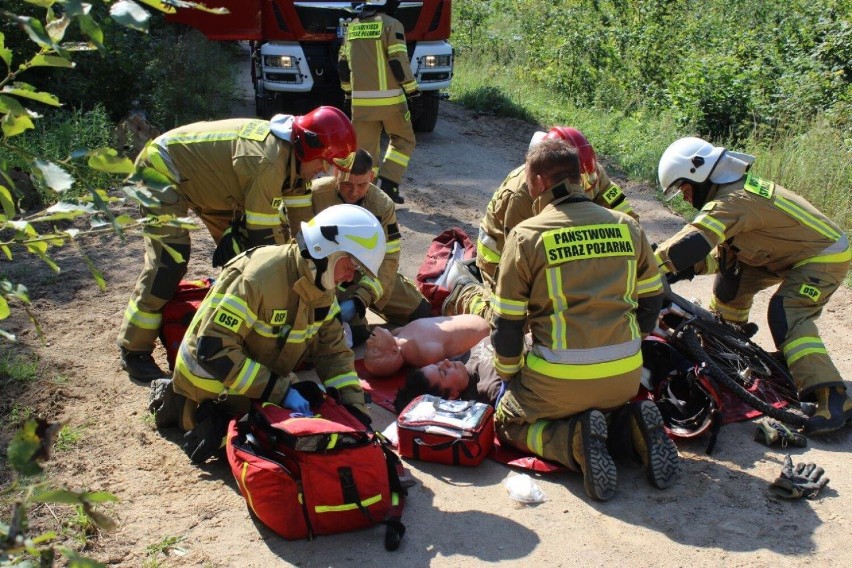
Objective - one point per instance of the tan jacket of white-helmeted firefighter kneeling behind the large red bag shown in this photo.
(261, 318)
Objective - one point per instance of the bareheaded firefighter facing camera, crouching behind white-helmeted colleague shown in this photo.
(391, 295)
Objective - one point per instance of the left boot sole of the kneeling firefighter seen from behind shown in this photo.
(590, 455)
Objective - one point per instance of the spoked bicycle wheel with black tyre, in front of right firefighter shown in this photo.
(745, 369)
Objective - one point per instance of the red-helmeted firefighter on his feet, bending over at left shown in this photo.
(223, 171)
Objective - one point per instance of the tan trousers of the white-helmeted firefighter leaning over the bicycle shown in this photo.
(793, 310)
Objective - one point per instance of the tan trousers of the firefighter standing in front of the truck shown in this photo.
(395, 120)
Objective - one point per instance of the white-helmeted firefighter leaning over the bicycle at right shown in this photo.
(755, 234)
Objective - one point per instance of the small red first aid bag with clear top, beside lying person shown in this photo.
(452, 432)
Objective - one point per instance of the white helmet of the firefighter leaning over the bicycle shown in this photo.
(695, 160)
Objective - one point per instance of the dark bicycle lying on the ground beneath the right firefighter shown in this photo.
(731, 359)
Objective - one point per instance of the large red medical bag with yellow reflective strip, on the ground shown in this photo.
(306, 476)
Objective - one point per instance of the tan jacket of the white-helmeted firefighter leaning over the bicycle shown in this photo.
(762, 225)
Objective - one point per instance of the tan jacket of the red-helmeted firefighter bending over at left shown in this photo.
(232, 165)
